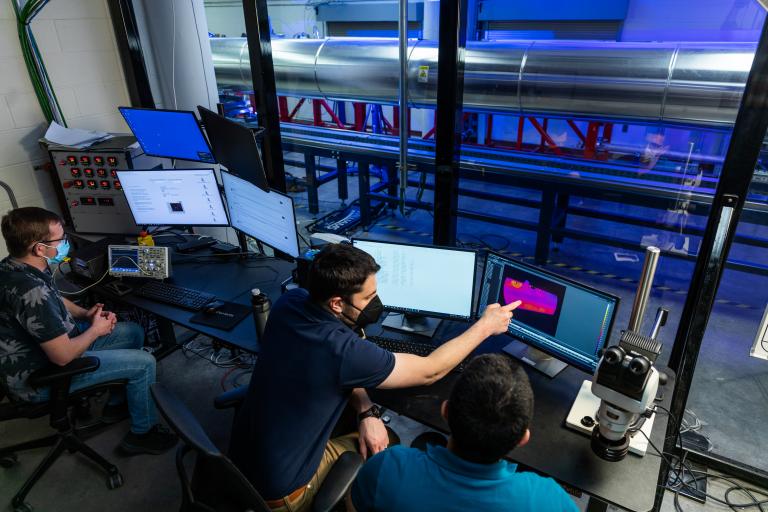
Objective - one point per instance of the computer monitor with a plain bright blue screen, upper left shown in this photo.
(168, 133)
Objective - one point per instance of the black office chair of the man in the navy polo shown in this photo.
(217, 484)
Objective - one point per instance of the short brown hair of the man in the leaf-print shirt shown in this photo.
(23, 227)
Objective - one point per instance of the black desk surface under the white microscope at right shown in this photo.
(554, 449)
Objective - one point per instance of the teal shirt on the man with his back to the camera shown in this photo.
(409, 480)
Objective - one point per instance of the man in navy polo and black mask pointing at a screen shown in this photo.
(314, 361)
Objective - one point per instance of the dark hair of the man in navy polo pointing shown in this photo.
(339, 270)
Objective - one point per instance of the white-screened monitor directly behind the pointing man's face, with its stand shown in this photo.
(419, 282)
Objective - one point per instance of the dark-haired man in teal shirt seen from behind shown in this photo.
(488, 412)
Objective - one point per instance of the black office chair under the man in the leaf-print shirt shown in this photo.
(57, 408)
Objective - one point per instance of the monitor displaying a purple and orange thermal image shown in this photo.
(561, 317)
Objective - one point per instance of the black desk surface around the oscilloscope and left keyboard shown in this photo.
(229, 279)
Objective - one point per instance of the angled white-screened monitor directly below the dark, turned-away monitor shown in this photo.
(265, 216)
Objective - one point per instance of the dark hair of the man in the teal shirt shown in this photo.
(490, 408)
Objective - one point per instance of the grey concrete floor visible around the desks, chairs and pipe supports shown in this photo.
(730, 392)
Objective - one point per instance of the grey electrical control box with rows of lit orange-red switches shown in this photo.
(89, 191)
